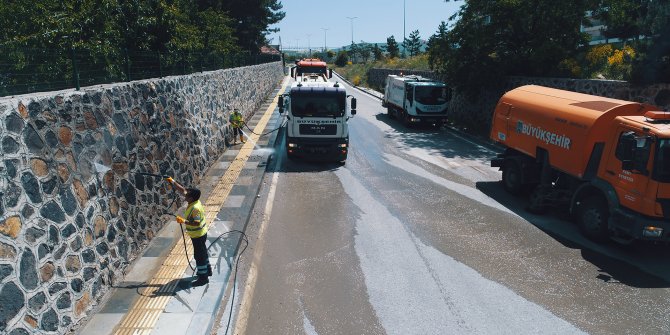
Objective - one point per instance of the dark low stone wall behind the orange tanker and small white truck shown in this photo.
(474, 114)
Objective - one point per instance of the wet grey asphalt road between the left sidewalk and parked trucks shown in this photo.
(414, 235)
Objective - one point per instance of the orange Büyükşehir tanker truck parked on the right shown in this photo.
(606, 160)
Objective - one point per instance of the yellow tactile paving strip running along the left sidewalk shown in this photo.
(143, 315)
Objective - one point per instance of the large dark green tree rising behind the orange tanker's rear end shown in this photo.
(485, 45)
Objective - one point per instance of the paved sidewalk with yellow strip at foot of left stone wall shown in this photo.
(155, 296)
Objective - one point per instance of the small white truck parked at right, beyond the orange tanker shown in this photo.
(415, 99)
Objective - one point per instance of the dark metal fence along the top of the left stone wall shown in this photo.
(38, 70)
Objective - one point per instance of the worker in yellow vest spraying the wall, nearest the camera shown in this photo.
(196, 228)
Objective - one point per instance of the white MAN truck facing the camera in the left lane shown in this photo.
(317, 114)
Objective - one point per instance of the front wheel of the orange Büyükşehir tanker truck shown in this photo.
(592, 218)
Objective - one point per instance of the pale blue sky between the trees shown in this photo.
(375, 21)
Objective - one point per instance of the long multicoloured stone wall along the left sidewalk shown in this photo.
(69, 227)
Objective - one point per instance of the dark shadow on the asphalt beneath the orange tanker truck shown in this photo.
(617, 263)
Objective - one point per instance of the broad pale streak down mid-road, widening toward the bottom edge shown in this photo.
(416, 289)
